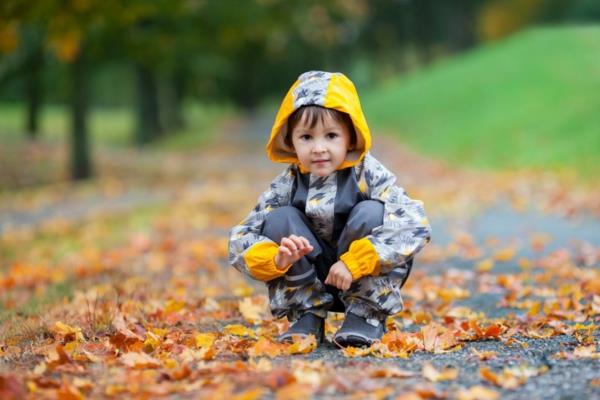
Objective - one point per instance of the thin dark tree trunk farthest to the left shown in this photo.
(33, 89)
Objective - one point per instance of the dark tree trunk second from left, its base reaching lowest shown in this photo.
(81, 167)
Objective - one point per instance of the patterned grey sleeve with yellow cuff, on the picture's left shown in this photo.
(249, 251)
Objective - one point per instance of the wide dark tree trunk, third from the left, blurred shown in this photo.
(148, 120)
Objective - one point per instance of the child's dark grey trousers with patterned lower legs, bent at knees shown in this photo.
(302, 289)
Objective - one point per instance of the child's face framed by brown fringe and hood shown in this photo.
(322, 149)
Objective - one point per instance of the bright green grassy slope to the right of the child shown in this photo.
(530, 101)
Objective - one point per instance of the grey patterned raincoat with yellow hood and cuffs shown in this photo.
(326, 201)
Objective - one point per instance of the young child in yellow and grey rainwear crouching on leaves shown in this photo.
(333, 232)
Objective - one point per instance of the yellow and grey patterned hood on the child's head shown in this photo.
(327, 89)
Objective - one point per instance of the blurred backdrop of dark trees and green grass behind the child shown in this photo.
(86, 86)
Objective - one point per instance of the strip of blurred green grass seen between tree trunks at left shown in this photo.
(112, 127)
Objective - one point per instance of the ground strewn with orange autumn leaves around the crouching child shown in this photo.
(123, 288)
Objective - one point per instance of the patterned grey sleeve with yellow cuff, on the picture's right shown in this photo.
(405, 229)
